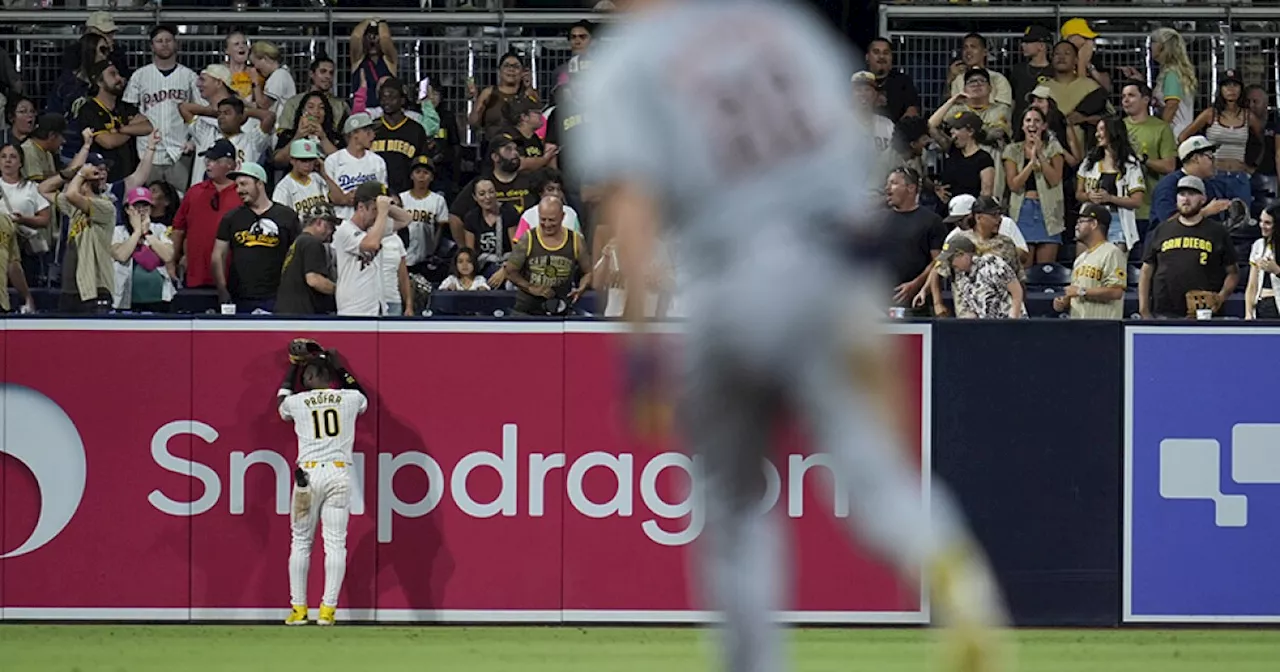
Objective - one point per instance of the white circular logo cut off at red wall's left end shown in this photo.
(39, 435)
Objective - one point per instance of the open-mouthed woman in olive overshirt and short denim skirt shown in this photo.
(1035, 166)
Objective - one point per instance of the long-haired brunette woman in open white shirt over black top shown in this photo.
(1112, 176)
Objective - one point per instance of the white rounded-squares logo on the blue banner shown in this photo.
(1190, 469)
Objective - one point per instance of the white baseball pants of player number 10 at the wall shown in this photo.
(331, 508)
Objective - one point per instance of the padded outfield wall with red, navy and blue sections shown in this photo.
(145, 476)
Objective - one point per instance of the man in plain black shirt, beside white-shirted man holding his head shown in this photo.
(305, 280)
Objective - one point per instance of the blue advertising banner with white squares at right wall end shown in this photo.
(1203, 476)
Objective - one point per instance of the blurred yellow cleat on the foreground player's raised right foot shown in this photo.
(970, 606)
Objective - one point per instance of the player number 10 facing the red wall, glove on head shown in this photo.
(324, 419)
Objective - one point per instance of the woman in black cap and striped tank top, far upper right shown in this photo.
(1229, 126)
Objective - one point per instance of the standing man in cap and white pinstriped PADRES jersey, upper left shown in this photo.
(158, 89)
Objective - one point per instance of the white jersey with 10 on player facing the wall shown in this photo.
(326, 423)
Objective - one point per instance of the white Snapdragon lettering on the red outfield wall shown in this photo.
(661, 519)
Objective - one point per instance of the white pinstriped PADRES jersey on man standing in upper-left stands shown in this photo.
(158, 95)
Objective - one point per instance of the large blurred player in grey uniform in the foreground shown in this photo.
(730, 124)
